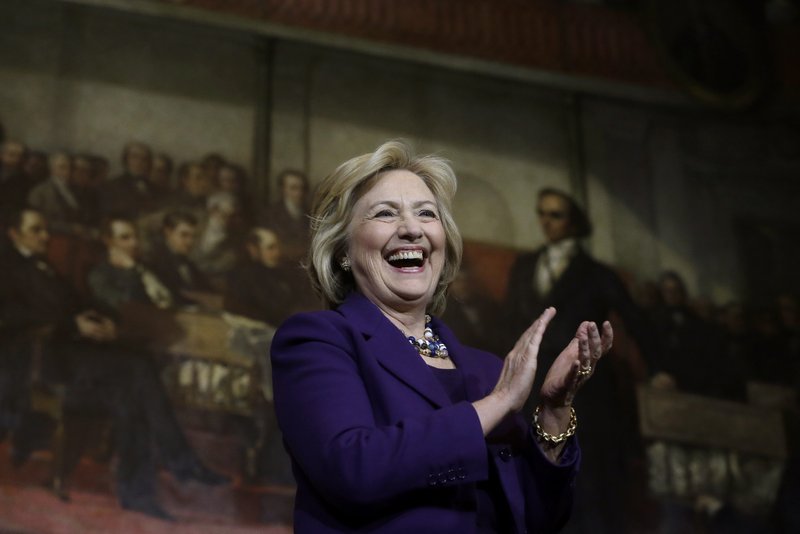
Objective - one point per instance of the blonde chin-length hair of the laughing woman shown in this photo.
(332, 210)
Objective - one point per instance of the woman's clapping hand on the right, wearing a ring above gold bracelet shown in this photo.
(575, 365)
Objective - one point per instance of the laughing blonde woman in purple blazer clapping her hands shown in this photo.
(392, 424)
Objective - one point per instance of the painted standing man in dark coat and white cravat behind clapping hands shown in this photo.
(563, 275)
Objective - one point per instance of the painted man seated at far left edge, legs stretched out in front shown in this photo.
(82, 352)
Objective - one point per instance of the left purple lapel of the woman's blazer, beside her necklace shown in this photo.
(392, 350)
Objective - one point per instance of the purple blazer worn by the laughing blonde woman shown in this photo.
(378, 446)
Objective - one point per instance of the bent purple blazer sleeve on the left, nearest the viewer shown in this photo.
(328, 421)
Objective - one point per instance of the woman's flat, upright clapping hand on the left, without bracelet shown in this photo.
(516, 378)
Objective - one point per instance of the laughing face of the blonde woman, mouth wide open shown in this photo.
(397, 242)
